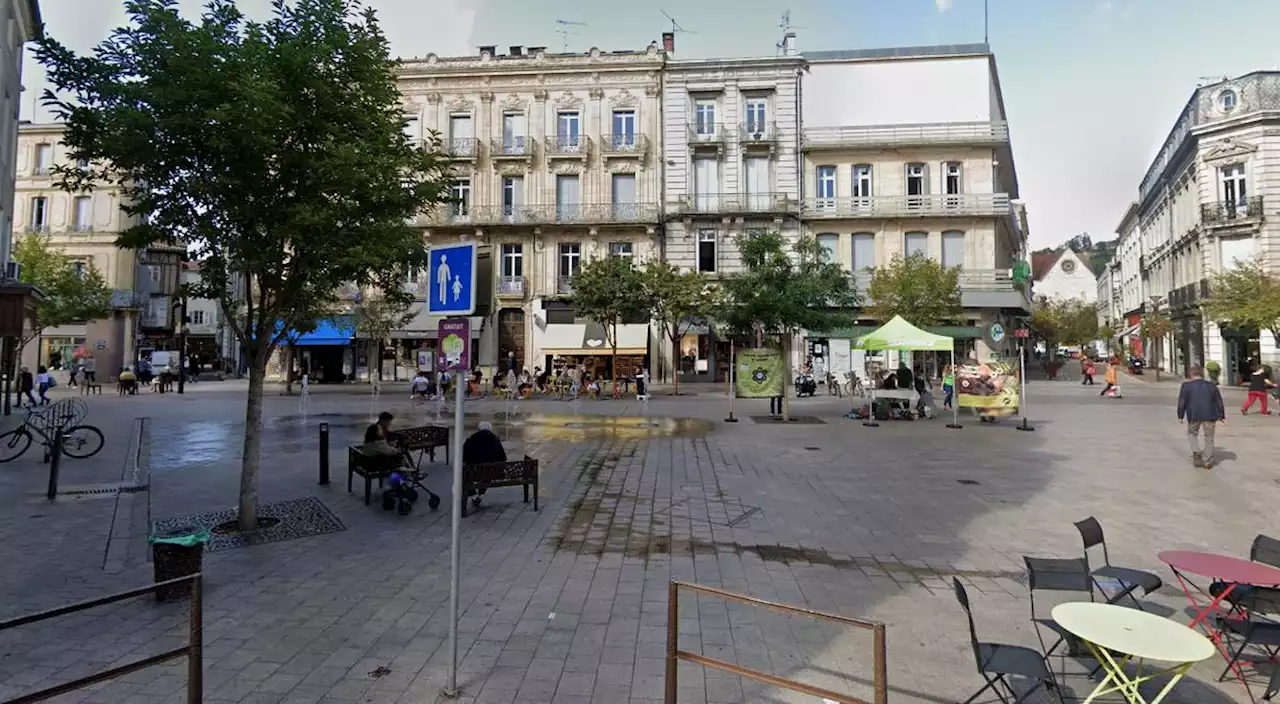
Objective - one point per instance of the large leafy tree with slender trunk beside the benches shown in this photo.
(275, 152)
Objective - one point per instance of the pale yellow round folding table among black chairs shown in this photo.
(1110, 630)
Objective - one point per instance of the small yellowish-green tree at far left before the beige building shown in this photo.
(71, 294)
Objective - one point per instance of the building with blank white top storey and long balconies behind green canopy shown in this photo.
(930, 172)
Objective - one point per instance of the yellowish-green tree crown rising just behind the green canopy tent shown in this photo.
(918, 289)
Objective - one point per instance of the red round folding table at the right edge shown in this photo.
(1231, 570)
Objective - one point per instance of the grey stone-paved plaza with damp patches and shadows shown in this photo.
(569, 605)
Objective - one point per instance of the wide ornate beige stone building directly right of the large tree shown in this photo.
(557, 159)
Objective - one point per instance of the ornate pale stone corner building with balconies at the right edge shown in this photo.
(1210, 199)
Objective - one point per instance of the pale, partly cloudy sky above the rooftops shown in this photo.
(1092, 88)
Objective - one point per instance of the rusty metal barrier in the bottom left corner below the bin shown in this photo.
(193, 651)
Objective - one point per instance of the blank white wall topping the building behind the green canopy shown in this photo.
(899, 93)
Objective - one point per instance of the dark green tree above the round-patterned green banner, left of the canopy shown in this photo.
(781, 292)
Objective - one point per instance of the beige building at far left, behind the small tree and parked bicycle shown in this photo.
(85, 227)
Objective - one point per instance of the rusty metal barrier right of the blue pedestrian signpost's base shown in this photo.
(880, 680)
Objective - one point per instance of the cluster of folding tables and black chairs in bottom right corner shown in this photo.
(1130, 650)
